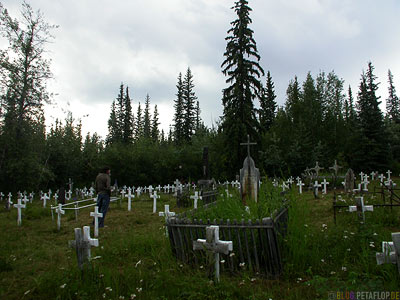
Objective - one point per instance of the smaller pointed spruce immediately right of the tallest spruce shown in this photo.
(267, 105)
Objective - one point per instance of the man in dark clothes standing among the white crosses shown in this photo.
(103, 190)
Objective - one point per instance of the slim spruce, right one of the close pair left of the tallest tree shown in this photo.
(189, 100)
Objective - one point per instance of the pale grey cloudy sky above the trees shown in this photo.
(145, 44)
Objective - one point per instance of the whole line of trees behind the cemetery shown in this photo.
(321, 120)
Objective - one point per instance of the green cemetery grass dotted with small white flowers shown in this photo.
(134, 260)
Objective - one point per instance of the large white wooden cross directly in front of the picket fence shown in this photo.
(213, 244)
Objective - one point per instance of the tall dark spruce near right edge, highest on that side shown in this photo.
(373, 152)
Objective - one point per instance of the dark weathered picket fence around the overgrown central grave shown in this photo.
(255, 243)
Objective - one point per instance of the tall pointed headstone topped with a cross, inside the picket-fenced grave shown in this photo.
(249, 176)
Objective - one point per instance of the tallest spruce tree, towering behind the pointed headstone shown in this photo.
(243, 76)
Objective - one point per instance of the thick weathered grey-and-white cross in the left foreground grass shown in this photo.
(82, 244)
